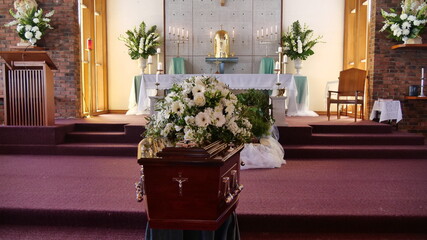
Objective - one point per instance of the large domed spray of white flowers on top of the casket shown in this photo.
(200, 110)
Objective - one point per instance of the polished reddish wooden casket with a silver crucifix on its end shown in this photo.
(191, 188)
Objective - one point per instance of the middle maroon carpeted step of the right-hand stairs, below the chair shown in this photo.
(395, 138)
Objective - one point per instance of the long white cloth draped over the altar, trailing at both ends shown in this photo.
(296, 89)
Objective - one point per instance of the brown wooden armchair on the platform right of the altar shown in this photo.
(351, 87)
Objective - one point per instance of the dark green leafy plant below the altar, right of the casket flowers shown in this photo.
(257, 111)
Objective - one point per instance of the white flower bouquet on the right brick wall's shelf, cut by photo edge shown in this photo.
(409, 24)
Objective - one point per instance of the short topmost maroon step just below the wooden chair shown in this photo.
(352, 128)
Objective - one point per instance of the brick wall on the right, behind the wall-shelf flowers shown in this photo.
(393, 71)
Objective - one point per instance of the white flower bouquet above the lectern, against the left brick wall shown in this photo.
(31, 23)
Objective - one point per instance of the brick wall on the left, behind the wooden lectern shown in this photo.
(63, 46)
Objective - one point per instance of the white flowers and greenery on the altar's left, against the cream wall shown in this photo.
(140, 42)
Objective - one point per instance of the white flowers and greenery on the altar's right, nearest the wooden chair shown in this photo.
(299, 41)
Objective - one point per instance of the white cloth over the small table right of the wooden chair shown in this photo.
(390, 110)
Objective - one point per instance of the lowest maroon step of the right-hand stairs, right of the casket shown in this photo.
(355, 151)
